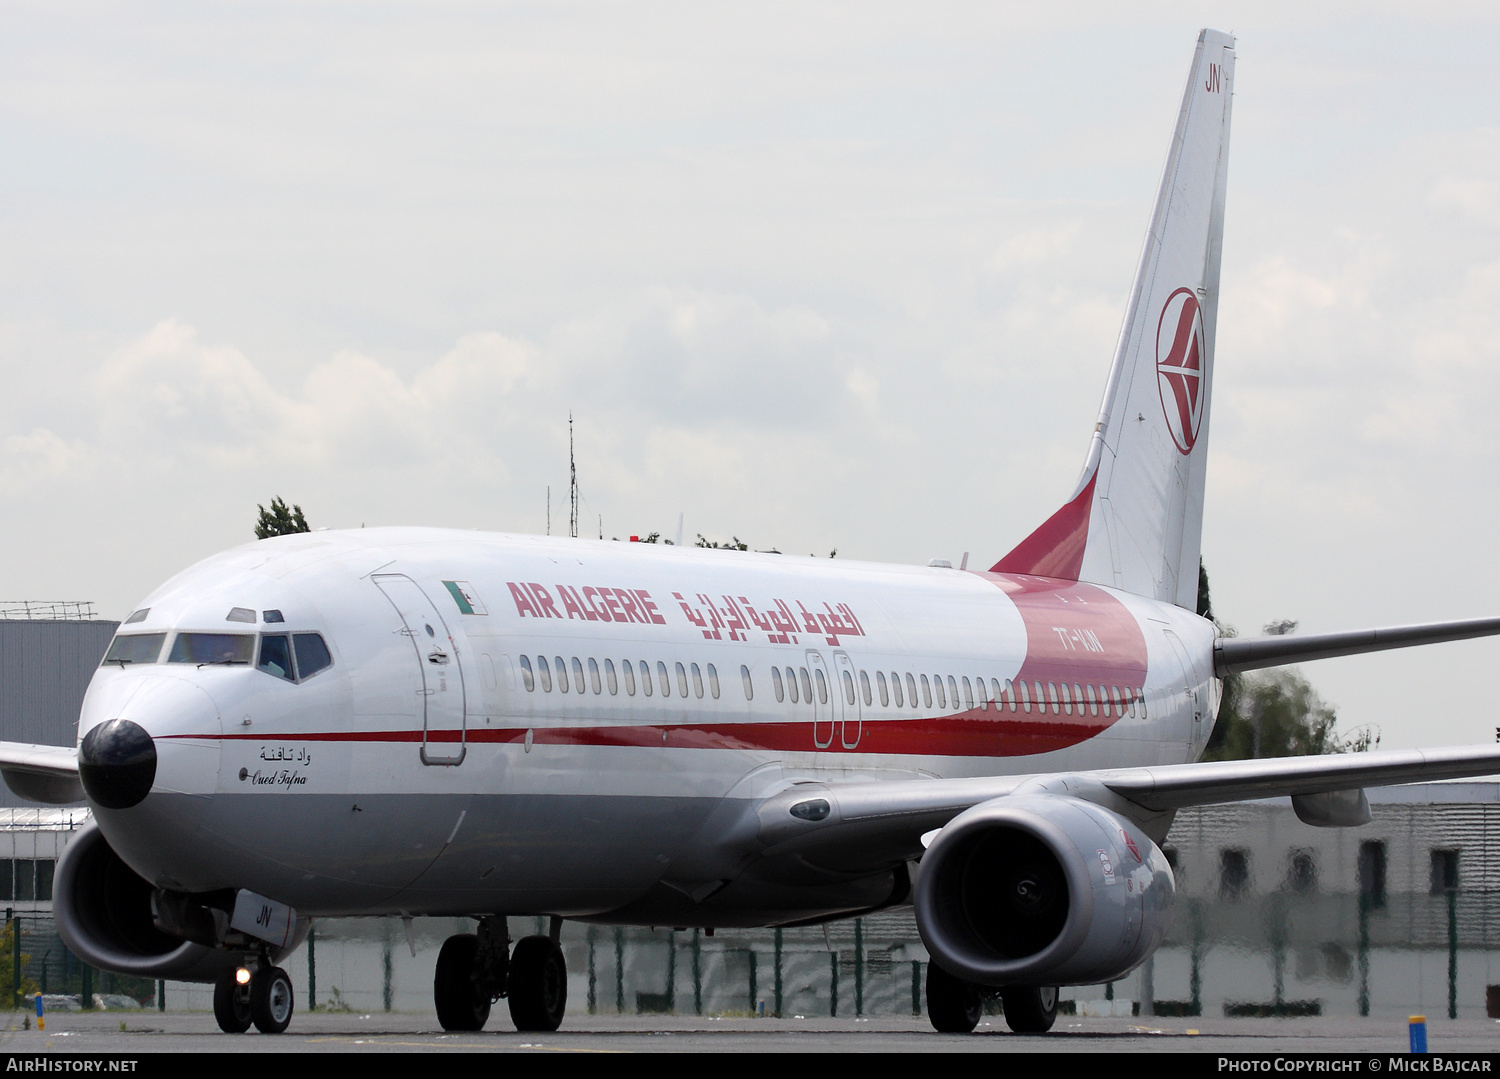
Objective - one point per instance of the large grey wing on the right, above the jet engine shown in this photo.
(862, 825)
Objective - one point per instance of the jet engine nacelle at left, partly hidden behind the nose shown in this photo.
(104, 915)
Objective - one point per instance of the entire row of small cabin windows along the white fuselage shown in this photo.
(799, 685)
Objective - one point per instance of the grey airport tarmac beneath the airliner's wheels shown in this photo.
(128, 1033)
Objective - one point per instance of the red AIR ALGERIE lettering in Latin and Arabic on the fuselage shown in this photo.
(727, 619)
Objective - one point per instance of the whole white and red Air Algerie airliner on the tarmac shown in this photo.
(418, 723)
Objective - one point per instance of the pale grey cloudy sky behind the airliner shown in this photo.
(812, 275)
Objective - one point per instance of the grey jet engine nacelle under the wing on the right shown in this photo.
(1043, 891)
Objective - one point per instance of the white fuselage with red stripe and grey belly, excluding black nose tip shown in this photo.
(568, 727)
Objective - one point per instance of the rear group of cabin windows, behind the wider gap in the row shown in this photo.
(1015, 697)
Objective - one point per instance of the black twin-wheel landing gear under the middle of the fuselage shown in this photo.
(476, 970)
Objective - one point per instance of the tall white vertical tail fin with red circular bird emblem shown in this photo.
(1136, 517)
